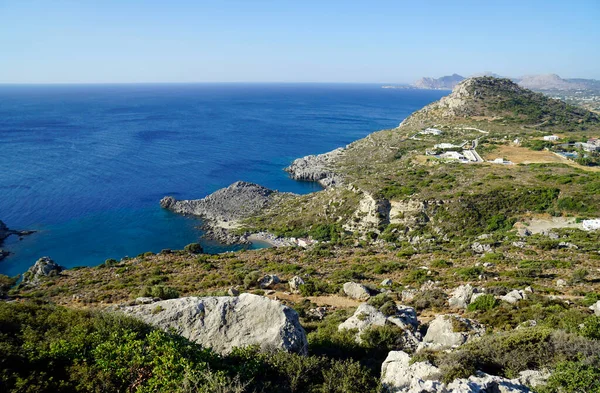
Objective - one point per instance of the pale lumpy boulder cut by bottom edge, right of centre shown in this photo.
(398, 375)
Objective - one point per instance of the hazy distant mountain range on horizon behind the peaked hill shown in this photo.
(547, 82)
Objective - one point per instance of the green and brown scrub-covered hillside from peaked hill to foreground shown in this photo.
(409, 228)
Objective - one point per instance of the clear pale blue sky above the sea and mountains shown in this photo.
(60, 41)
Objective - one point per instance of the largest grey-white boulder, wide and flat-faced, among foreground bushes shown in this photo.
(222, 323)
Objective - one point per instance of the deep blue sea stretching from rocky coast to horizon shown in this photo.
(86, 165)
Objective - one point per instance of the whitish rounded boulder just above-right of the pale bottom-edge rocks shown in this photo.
(450, 331)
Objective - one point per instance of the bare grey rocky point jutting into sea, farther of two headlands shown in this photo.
(318, 168)
